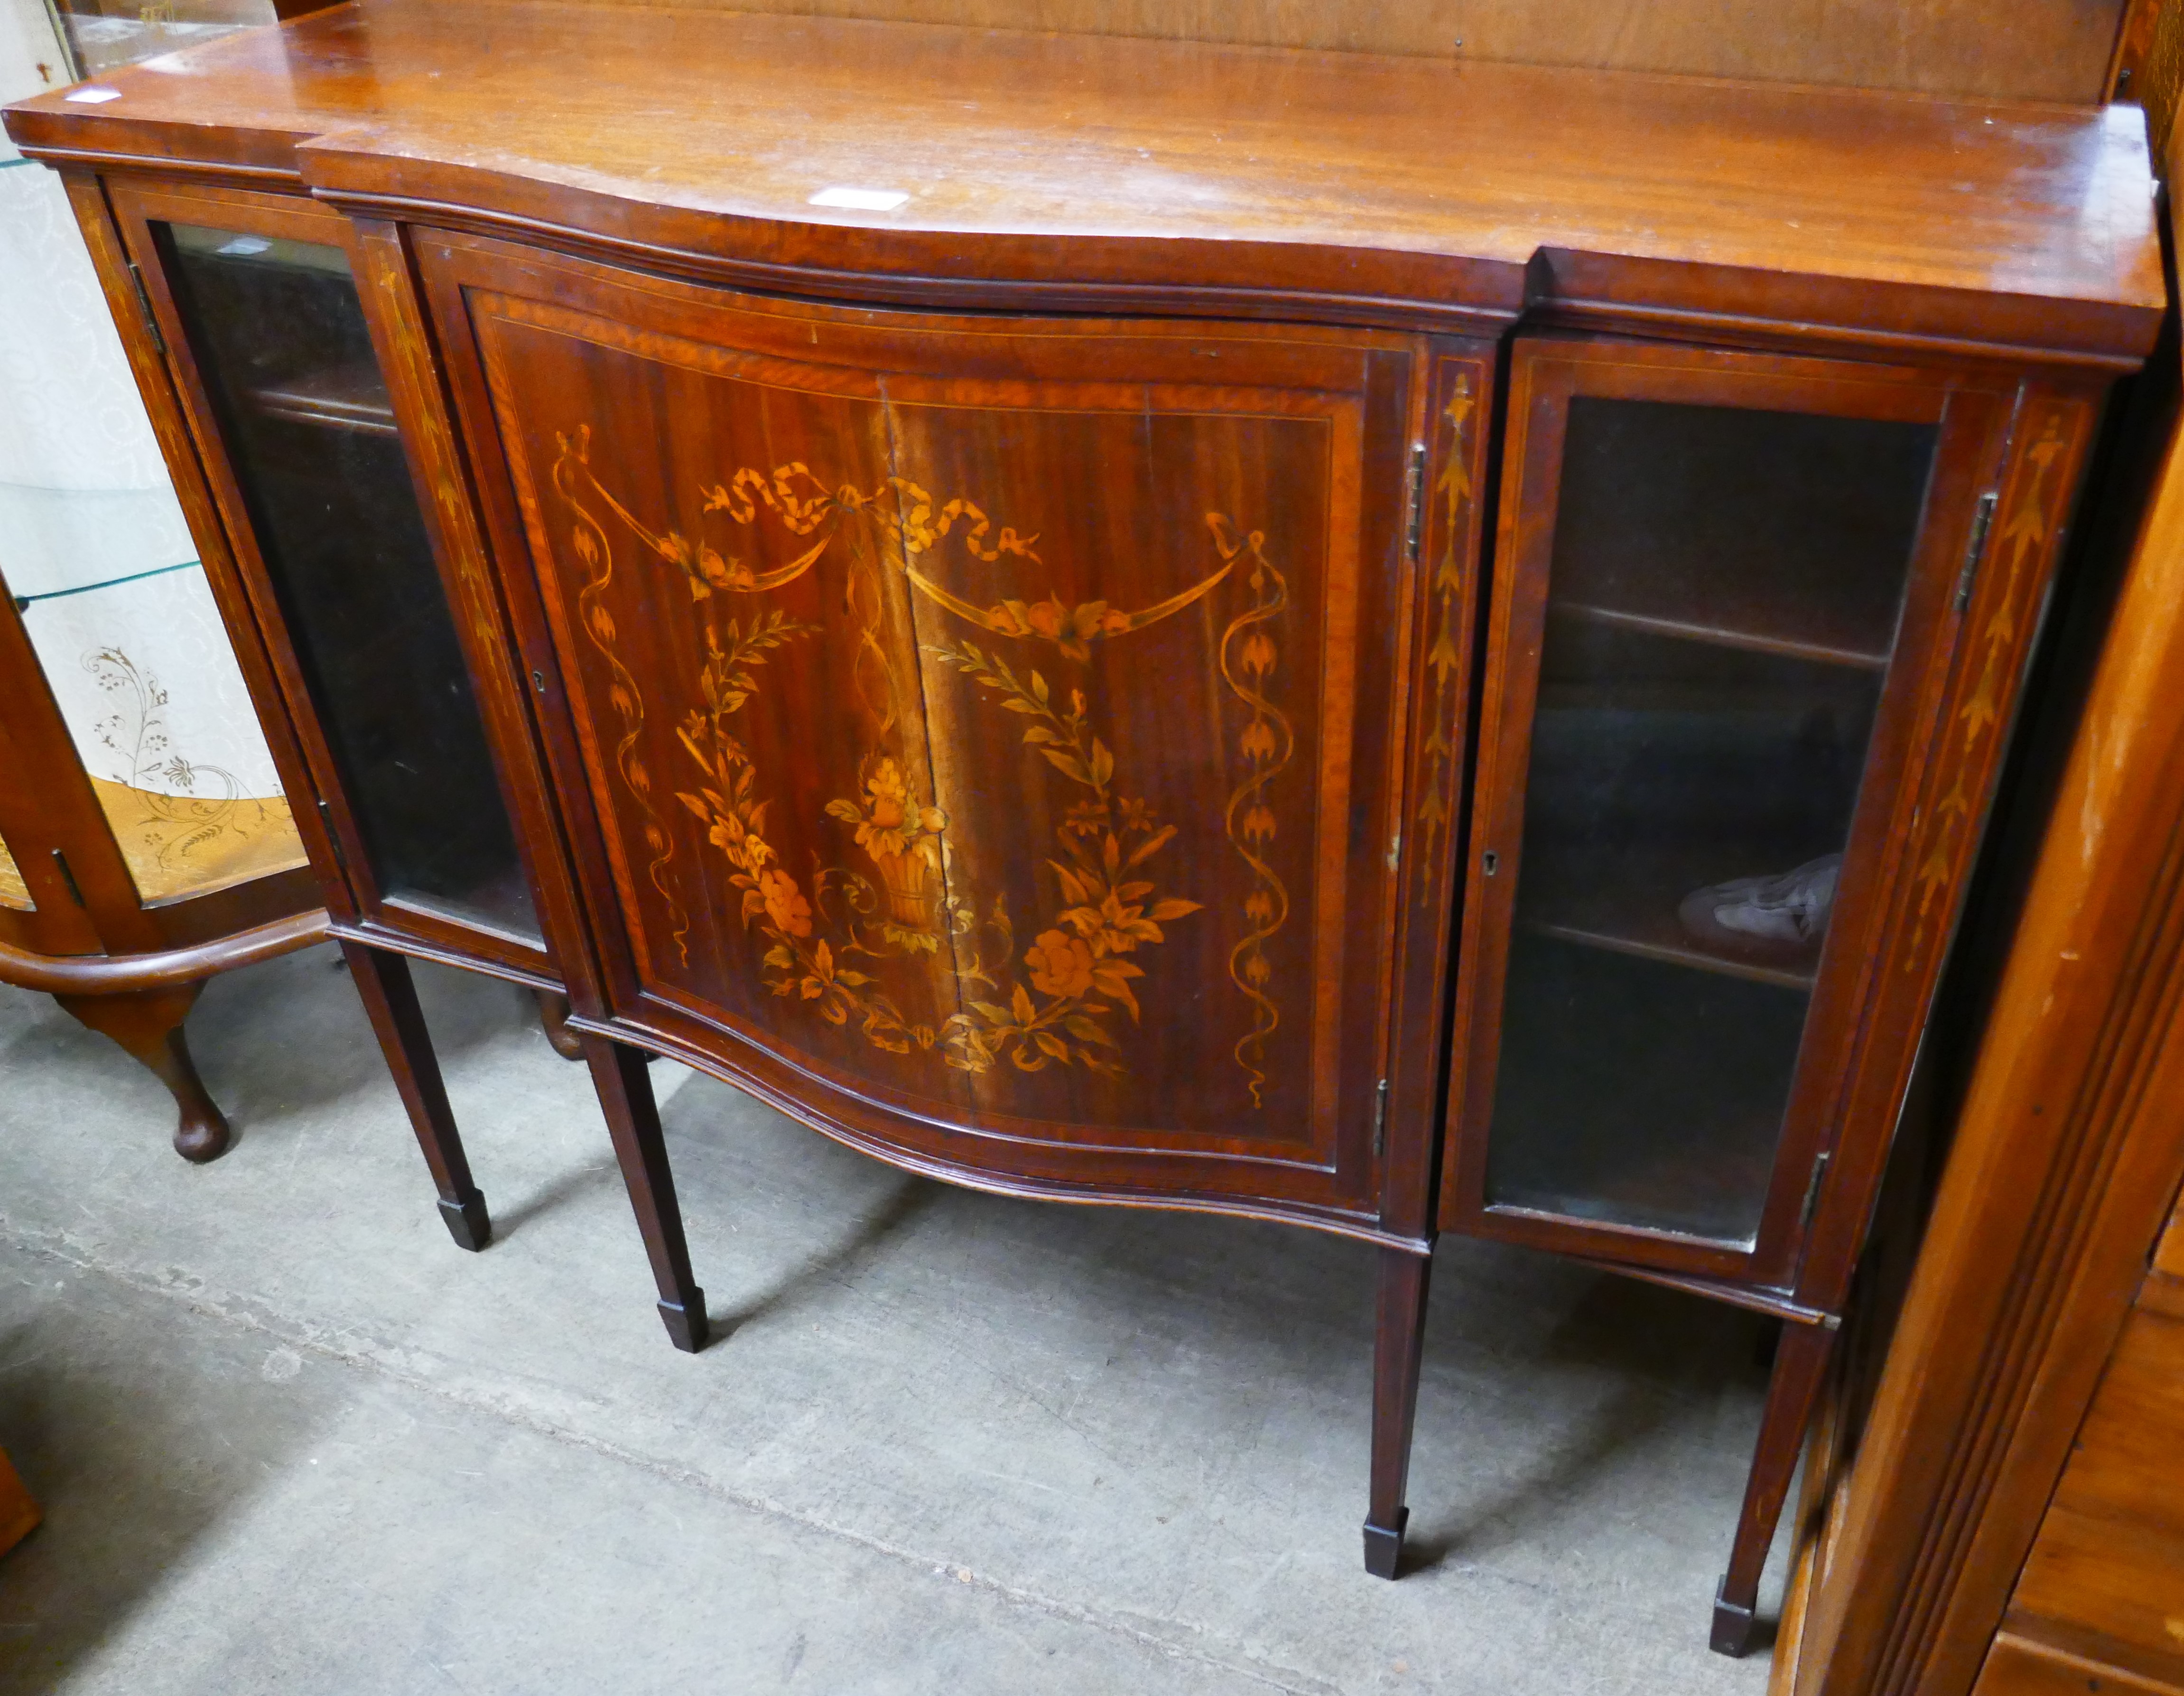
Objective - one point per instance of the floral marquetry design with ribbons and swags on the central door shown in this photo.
(859, 932)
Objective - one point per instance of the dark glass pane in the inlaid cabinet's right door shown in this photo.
(1722, 613)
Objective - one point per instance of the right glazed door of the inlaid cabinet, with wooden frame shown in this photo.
(1735, 746)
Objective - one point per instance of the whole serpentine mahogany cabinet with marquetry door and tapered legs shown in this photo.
(1180, 659)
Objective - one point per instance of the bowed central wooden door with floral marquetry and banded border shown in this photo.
(982, 735)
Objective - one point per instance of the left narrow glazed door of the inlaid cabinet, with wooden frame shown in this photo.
(335, 532)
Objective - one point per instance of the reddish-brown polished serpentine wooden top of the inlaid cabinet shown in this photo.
(1111, 174)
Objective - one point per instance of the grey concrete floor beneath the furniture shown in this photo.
(292, 1439)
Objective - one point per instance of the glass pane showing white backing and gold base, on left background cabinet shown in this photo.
(102, 567)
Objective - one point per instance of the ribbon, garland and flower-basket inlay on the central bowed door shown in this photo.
(835, 932)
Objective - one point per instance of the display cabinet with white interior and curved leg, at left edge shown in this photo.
(145, 840)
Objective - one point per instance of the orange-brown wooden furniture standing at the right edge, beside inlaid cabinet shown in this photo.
(2006, 1511)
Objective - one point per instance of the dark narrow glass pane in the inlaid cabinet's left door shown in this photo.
(283, 342)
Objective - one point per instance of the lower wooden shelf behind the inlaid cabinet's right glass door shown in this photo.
(1626, 899)
